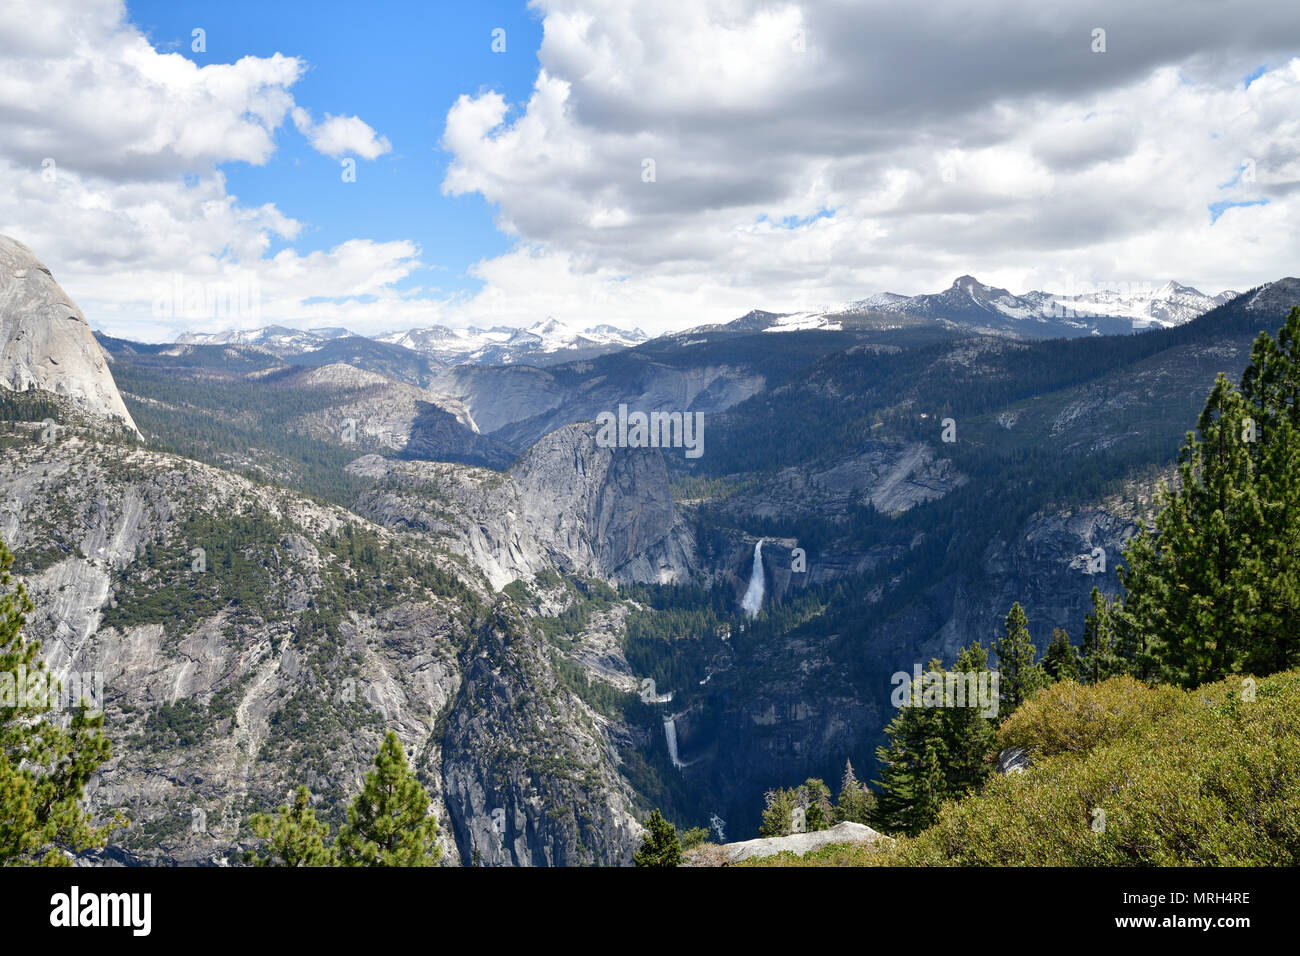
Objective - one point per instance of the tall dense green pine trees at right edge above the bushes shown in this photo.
(1216, 589)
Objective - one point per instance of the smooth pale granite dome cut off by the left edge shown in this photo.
(45, 339)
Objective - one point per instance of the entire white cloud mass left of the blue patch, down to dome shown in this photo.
(111, 153)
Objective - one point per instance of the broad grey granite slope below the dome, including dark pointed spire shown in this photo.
(304, 637)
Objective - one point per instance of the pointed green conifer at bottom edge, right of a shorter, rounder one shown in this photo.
(389, 823)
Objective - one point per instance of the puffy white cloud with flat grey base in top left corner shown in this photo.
(81, 86)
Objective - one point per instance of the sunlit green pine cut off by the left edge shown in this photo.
(44, 767)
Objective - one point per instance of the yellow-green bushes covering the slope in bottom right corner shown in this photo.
(1137, 777)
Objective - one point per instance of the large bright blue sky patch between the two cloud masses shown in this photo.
(400, 67)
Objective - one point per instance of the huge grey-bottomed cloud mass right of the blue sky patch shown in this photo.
(816, 153)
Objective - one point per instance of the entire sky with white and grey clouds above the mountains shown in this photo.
(657, 165)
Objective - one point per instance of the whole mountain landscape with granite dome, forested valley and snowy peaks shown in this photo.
(447, 551)
